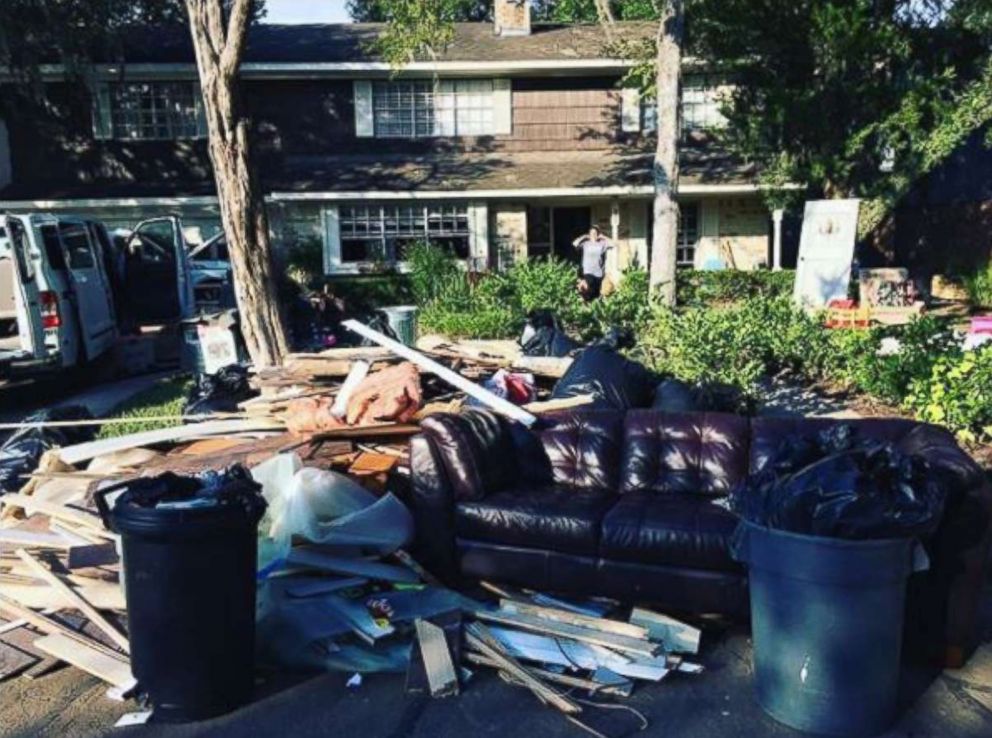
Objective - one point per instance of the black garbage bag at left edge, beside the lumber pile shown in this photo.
(20, 454)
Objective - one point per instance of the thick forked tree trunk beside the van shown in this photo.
(219, 46)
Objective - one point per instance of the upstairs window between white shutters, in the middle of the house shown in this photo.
(420, 109)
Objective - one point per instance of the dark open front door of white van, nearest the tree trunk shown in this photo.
(157, 282)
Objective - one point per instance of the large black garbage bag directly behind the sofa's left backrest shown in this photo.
(613, 381)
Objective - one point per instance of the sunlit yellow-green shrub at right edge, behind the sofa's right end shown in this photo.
(957, 393)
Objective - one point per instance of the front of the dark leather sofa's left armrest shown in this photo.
(433, 506)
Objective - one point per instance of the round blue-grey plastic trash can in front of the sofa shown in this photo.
(827, 627)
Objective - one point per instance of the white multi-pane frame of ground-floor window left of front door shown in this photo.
(337, 230)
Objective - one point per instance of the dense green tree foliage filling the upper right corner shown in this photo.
(854, 97)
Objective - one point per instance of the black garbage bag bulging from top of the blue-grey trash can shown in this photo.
(838, 486)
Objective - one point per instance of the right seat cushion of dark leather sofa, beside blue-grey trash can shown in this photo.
(670, 530)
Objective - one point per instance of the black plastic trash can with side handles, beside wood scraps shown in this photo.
(189, 578)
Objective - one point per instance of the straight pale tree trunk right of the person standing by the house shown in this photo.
(666, 158)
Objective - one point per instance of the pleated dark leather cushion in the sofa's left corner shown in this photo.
(475, 449)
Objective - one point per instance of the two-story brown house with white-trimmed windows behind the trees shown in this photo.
(513, 142)
